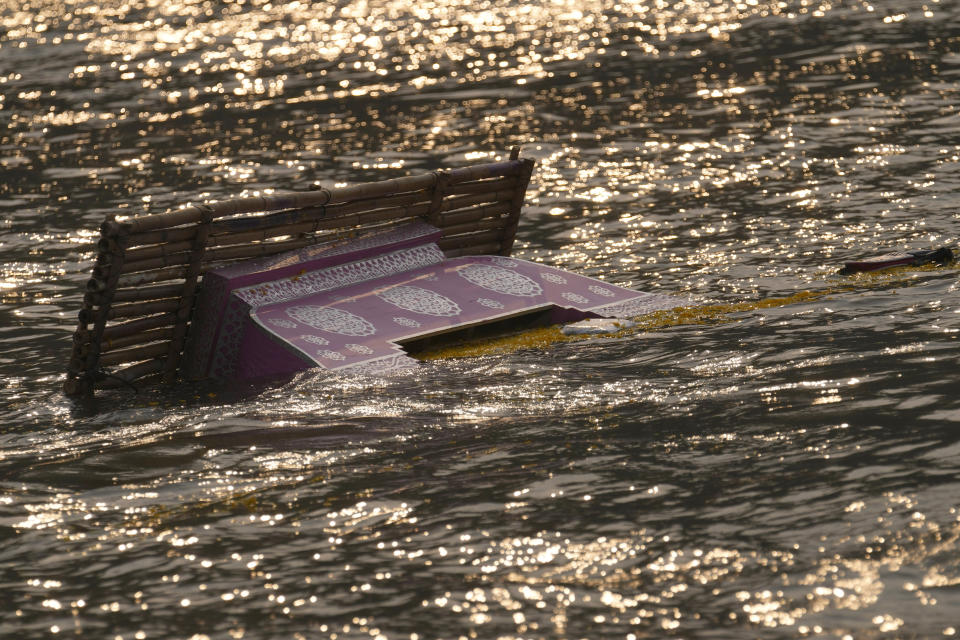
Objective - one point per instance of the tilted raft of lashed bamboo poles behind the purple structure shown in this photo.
(139, 300)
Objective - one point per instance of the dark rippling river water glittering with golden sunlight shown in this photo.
(766, 470)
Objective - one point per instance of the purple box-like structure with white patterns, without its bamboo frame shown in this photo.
(355, 306)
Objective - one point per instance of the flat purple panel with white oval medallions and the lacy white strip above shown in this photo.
(359, 327)
